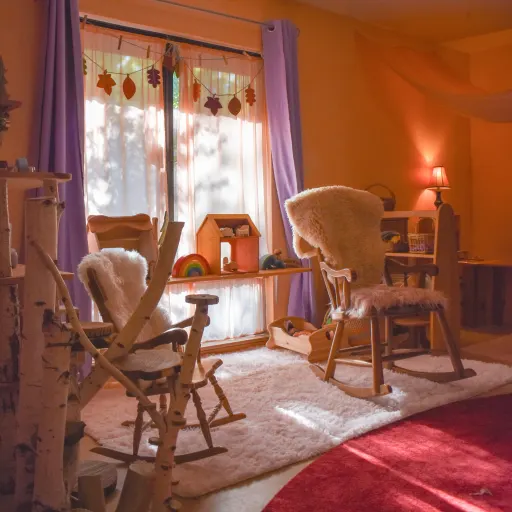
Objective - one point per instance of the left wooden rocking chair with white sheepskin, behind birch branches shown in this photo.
(117, 264)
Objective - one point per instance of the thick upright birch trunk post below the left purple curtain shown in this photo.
(39, 294)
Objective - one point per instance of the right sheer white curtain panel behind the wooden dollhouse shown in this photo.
(223, 164)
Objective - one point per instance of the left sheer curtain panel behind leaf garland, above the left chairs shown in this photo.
(125, 139)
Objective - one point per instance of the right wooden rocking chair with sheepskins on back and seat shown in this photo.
(342, 226)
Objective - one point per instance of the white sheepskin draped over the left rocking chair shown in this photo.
(122, 276)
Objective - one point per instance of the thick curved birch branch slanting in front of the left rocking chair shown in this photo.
(126, 338)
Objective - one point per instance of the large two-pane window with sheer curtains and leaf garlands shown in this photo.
(220, 163)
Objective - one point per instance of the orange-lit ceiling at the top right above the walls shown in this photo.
(436, 20)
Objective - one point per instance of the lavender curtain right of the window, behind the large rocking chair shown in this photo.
(283, 106)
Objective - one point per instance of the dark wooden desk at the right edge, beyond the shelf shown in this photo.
(486, 293)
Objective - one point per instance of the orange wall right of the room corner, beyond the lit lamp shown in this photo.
(491, 153)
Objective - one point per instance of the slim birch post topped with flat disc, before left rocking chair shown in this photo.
(162, 498)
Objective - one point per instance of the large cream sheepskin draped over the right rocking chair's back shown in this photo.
(344, 223)
